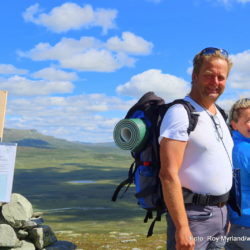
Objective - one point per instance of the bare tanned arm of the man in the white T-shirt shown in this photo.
(171, 154)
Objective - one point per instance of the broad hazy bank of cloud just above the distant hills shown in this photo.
(81, 117)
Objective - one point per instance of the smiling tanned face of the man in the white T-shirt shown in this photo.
(210, 82)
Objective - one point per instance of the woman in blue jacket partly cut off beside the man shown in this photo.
(239, 235)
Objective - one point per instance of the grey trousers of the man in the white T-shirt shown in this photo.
(208, 225)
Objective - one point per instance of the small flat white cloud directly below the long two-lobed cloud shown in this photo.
(53, 74)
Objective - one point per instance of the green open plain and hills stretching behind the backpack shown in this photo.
(44, 174)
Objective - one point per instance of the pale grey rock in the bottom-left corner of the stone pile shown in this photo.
(8, 236)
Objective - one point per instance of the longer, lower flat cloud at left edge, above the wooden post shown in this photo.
(17, 85)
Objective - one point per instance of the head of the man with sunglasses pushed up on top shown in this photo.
(210, 72)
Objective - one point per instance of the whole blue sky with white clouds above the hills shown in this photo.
(73, 68)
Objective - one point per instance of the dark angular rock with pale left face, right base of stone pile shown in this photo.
(42, 236)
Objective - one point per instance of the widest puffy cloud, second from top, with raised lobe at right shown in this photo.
(90, 54)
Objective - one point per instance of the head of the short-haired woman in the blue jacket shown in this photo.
(239, 116)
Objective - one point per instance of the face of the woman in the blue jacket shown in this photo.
(243, 123)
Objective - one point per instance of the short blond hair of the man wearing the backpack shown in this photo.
(200, 58)
